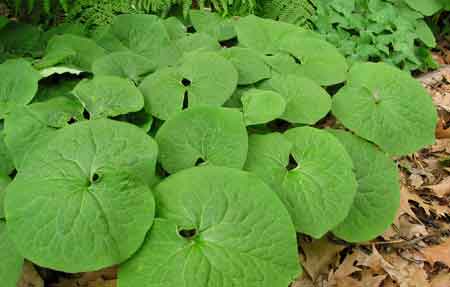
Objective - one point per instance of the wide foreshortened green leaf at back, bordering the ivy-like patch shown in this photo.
(318, 59)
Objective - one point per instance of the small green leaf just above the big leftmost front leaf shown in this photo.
(109, 96)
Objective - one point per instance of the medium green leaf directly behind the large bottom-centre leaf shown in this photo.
(212, 135)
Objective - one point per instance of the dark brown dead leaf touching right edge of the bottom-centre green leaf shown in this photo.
(318, 255)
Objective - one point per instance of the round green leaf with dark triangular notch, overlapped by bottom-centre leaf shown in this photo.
(311, 173)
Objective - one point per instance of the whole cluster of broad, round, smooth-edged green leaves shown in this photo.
(193, 159)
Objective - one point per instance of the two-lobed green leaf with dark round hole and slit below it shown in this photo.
(203, 79)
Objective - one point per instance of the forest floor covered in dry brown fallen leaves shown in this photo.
(414, 252)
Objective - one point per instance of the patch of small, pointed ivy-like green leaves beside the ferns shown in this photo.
(379, 30)
